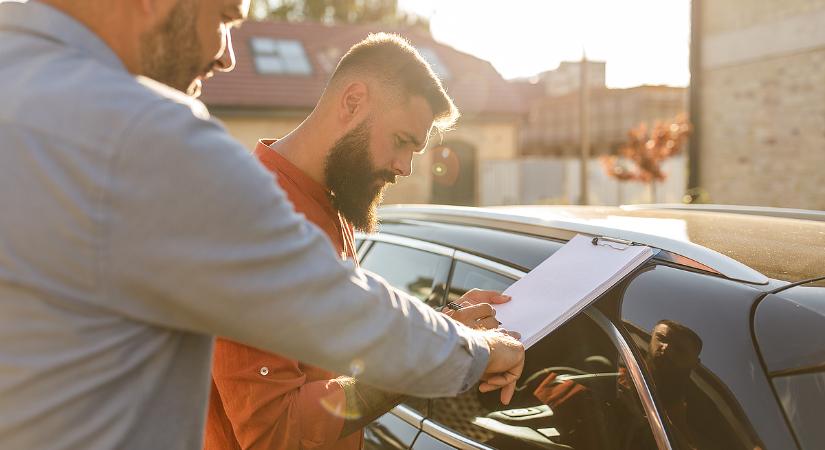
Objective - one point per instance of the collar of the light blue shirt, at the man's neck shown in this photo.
(43, 20)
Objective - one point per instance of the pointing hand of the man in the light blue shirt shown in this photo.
(505, 365)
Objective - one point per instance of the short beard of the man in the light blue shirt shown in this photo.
(170, 53)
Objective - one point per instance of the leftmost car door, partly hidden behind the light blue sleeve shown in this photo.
(420, 269)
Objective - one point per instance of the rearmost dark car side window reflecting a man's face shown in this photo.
(697, 355)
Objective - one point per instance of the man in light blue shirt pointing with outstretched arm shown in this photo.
(133, 229)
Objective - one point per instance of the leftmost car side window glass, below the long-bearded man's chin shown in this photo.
(419, 273)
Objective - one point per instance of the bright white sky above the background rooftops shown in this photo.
(642, 41)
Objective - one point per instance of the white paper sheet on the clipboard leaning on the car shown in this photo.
(566, 283)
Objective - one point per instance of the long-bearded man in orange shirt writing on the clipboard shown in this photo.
(377, 111)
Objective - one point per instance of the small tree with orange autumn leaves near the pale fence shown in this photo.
(640, 159)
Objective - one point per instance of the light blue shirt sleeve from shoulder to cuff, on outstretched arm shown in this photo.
(196, 236)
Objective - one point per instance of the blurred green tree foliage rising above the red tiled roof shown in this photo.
(337, 11)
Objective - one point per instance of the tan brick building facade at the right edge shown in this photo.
(758, 102)
